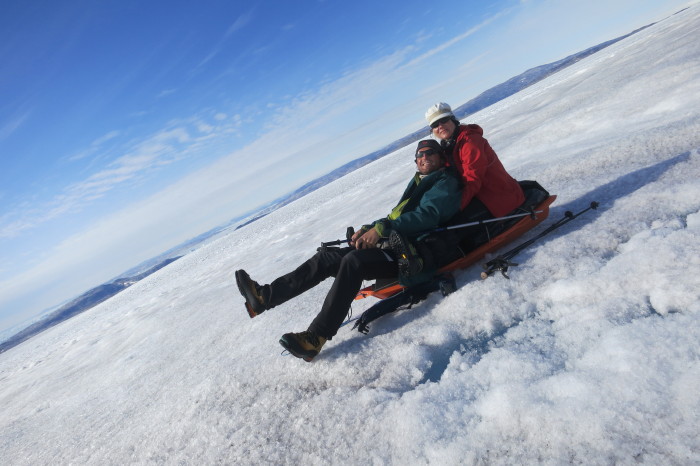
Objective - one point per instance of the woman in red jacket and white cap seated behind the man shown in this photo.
(488, 191)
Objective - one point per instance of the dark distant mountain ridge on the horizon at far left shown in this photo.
(80, 304)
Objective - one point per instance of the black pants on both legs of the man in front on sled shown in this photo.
(349, 266)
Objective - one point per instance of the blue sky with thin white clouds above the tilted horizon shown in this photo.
(126, 129)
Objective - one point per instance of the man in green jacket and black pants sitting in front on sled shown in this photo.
(377, 251)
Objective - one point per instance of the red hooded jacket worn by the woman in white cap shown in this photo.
(483, 174)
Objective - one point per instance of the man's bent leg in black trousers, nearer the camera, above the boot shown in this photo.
(356, 266)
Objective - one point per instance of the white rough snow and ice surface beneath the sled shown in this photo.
(589, 354)
